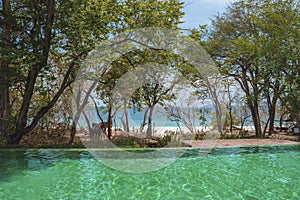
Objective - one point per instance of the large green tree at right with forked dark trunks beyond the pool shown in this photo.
(245, 41)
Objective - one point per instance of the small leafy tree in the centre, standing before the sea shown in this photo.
(149, 80)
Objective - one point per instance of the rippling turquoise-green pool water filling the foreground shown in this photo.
(226, 173)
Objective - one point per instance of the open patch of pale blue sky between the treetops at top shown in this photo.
(200, 11)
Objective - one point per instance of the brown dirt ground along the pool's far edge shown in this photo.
(54, 138)
